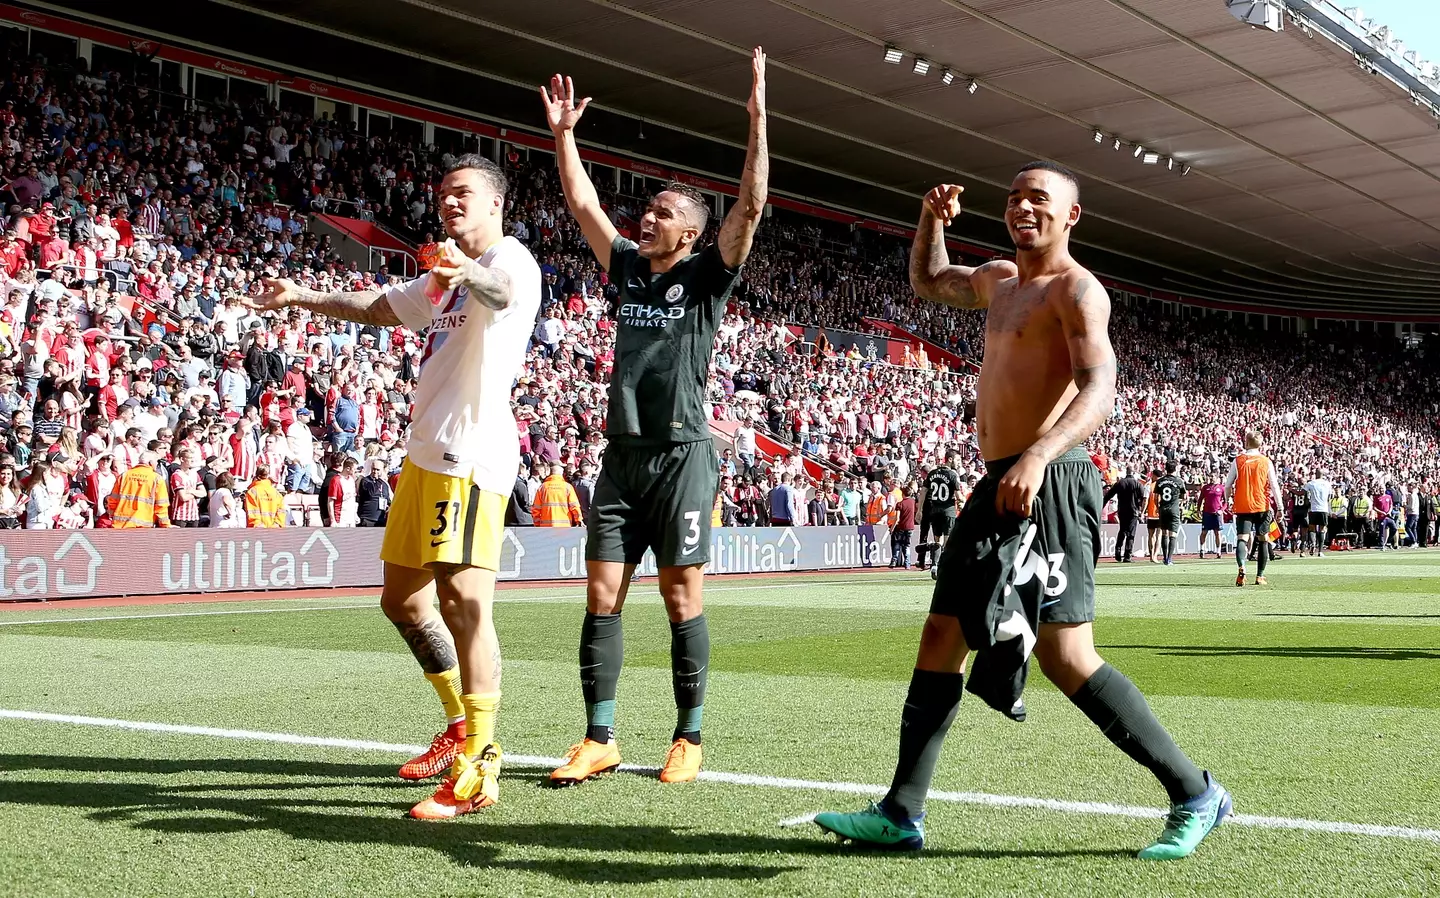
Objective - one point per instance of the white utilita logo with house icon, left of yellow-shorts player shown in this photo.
(227, 565)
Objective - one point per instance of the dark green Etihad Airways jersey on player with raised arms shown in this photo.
(665, 337)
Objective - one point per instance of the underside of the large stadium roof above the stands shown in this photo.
(1314, 182)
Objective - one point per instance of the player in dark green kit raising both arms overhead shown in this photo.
(659, 477)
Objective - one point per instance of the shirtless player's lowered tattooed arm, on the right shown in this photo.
(1085, 317)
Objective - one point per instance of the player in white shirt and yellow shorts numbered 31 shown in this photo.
(447, 522)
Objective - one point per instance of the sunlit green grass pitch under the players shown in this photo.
(1315, 699)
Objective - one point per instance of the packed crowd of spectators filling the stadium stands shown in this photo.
(132, 371)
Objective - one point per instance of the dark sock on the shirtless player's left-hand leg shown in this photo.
(930, 710)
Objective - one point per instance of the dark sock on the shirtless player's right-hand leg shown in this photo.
(1117, 707)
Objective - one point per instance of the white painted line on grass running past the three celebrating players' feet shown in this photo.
(750, 779)
